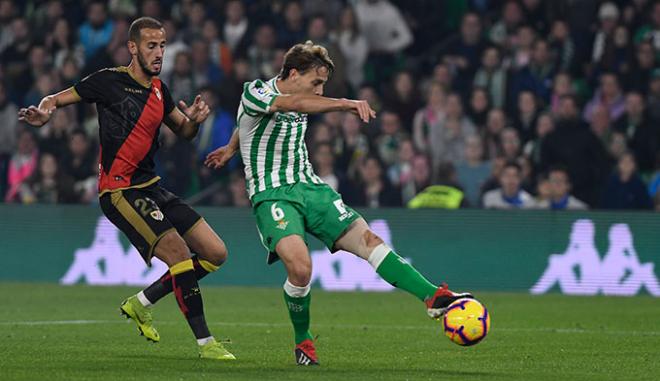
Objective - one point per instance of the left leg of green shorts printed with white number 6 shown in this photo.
(277, 220)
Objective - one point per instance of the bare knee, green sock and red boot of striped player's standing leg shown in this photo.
(293, 253)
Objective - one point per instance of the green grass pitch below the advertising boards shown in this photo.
(362, 336)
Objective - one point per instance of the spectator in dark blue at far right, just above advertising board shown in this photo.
(625, 189)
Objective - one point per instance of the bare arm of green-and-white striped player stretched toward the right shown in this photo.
(312, 104)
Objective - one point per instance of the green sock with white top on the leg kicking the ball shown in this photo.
(400, 274)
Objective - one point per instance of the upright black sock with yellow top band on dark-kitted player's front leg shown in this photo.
(189, 297)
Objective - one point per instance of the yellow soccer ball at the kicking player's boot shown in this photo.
(466, 322)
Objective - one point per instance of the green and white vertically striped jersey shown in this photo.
(272, 143)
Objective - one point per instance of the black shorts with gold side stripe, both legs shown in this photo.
(145, 215)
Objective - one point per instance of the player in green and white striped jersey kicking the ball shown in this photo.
(289, 199)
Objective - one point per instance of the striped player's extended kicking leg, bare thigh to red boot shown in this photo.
(361, 241)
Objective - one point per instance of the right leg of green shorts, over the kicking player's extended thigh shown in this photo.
(328, 217)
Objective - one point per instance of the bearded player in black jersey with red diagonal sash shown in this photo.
(132, 103)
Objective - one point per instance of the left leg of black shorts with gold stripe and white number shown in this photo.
(138, 217)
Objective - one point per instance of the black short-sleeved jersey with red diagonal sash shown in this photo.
(130, 115)
